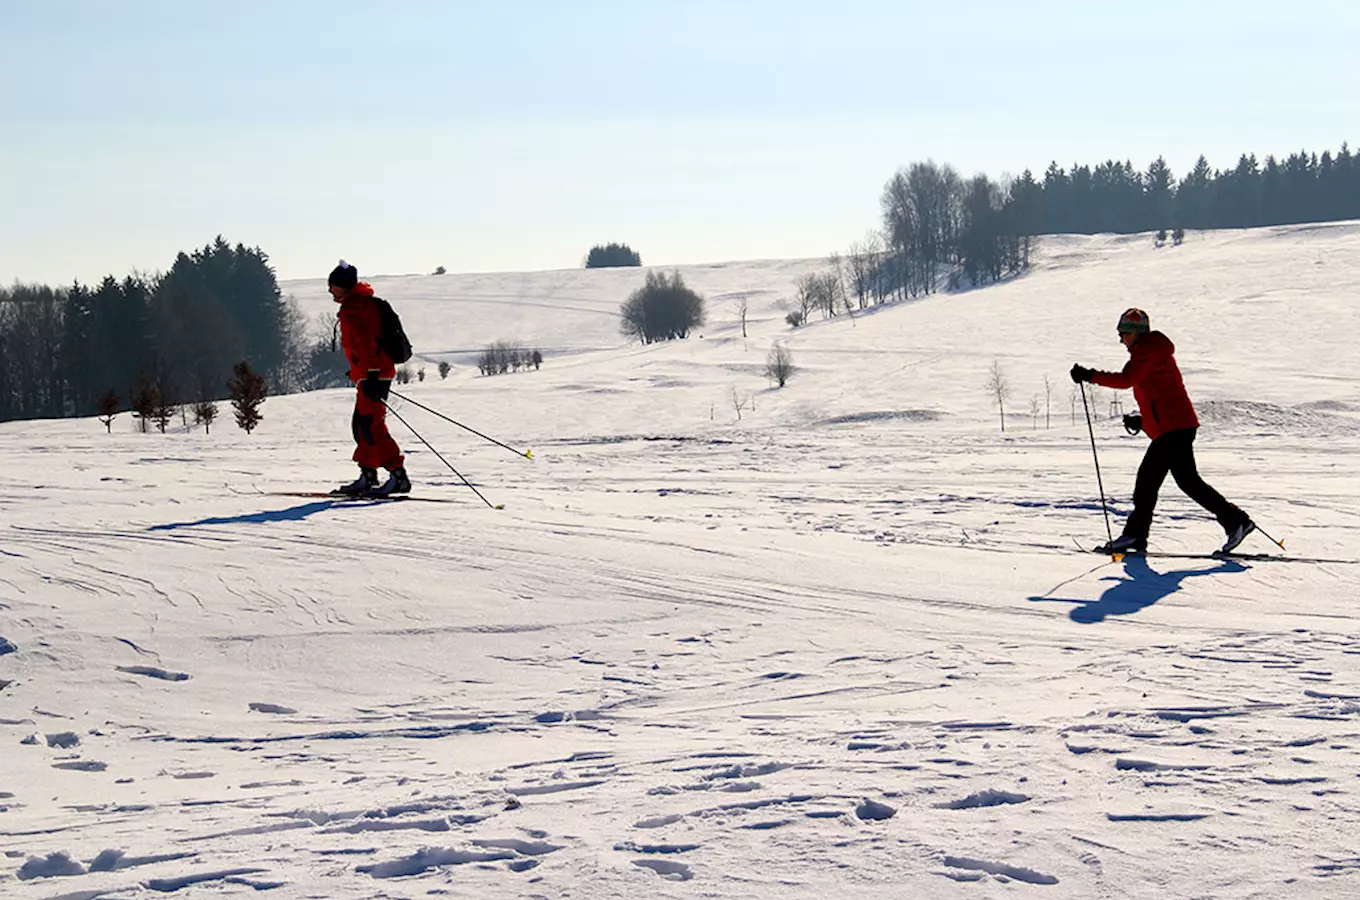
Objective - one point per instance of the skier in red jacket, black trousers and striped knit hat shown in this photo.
(1168, 417)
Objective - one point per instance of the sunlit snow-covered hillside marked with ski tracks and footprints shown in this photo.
(840, 646)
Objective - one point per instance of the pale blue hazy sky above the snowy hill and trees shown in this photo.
(513, 135)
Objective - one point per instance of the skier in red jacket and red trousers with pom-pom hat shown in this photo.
(372, 372)
